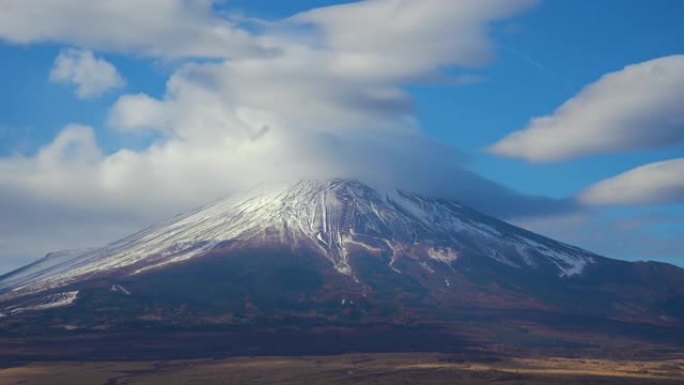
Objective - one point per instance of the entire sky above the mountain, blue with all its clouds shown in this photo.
(535, 57)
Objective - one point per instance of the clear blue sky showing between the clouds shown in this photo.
(541, 57)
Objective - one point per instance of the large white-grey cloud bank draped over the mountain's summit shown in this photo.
(230, 125)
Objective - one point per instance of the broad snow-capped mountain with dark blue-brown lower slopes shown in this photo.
(339, 252)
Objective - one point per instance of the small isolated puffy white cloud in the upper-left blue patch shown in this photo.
(91, 76)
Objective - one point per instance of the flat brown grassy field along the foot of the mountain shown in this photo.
(376, 369)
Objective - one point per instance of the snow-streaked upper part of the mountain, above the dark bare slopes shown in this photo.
(331, 217)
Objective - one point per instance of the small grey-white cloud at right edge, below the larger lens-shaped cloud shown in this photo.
(655, 183)
